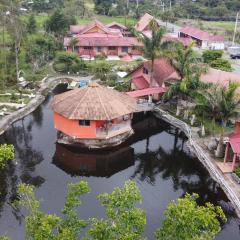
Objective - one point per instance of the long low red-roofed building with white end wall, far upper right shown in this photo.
(203, 39)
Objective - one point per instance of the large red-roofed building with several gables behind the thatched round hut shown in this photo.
(96, 38)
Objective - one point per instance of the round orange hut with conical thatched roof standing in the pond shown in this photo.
(93, 116)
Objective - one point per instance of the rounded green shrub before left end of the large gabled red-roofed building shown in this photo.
(68, 62)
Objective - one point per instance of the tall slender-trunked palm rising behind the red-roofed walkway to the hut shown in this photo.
(153, 46)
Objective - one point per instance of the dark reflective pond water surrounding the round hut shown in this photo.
(156, 157)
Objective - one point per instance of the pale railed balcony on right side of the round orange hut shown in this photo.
(113, 130)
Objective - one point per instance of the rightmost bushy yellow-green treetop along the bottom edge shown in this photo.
(184, 219)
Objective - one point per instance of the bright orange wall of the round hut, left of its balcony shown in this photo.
(72, 127)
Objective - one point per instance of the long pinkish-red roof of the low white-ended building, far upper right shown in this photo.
(199, 34)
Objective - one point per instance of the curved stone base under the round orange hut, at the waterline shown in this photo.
(94, 143)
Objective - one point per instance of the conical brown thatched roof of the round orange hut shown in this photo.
(93, 102)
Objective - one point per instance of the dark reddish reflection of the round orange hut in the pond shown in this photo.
(100, 164)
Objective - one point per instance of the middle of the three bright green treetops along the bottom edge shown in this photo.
(124, 220)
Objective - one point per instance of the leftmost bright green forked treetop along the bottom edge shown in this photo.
(41, 226)
